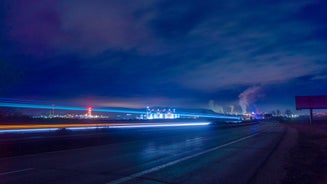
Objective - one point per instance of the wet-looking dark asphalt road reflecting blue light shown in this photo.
(204, 154)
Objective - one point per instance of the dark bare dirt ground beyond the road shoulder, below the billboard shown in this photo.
(307, 160)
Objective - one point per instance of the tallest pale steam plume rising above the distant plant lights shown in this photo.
(248, 96)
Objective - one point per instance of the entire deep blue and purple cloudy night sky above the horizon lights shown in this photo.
(194, 54)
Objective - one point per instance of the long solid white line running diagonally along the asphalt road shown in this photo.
(136, 175)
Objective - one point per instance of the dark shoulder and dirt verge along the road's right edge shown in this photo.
(300, 157)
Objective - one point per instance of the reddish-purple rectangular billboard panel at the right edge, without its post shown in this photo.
(311, 102)
